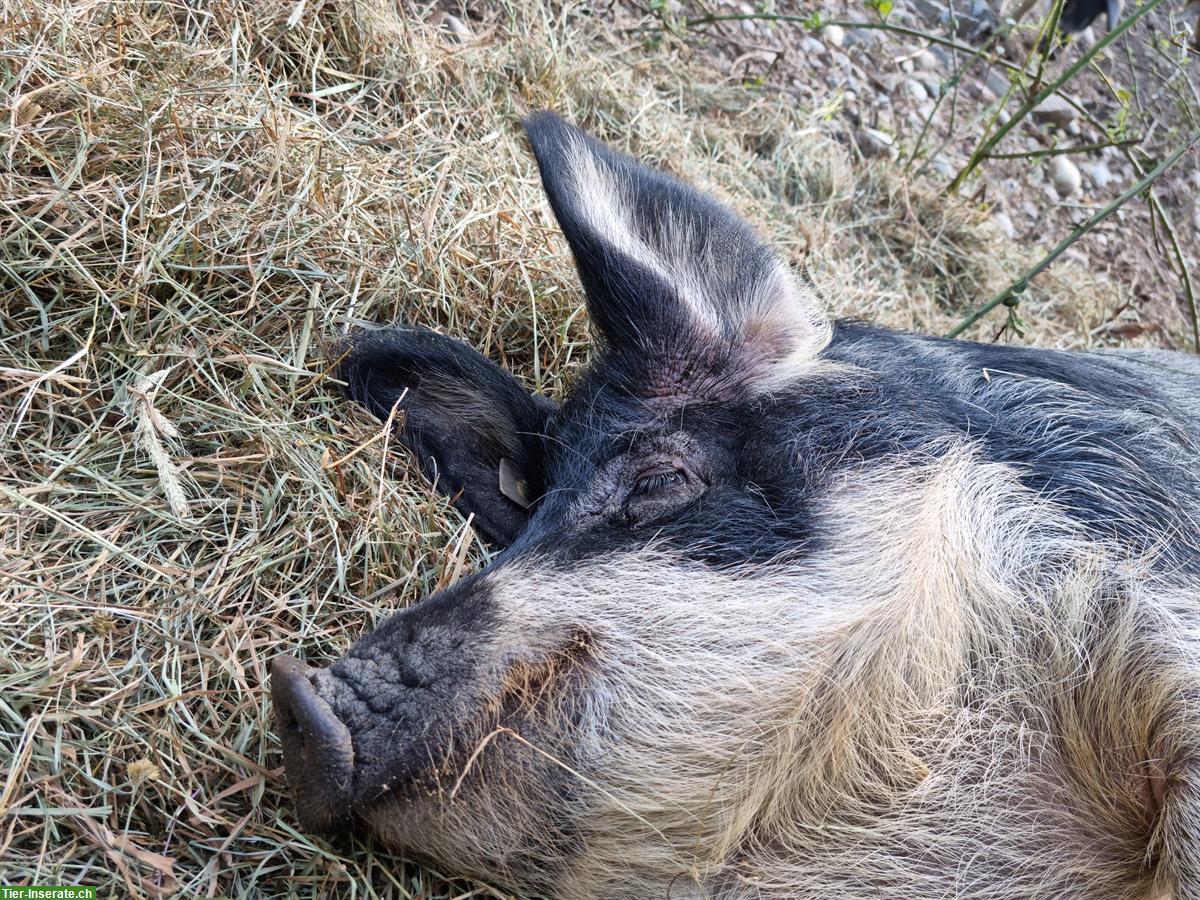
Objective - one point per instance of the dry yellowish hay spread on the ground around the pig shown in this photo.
(196, 199)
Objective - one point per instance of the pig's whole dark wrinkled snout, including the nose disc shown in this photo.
(381, 718)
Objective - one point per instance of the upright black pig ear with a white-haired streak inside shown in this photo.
(673, 277)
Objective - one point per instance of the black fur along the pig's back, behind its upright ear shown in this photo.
(1082, 429)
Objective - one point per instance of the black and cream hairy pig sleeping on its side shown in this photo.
(782, 607)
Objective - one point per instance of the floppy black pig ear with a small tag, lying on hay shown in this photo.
(475, 430)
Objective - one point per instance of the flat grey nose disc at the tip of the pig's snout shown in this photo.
(317, 749)
